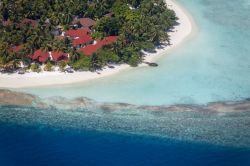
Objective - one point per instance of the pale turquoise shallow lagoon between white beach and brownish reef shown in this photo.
(212, 66)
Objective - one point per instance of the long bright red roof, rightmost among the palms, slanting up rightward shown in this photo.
(90, 49)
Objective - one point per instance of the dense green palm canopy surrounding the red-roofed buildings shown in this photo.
(140, 24)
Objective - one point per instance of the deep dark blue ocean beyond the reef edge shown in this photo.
(33, 146)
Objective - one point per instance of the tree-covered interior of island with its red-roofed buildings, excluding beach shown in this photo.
(83, 35)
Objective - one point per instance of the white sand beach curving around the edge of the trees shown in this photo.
(180, 34)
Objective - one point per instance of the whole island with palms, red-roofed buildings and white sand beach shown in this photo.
(47, 40)
